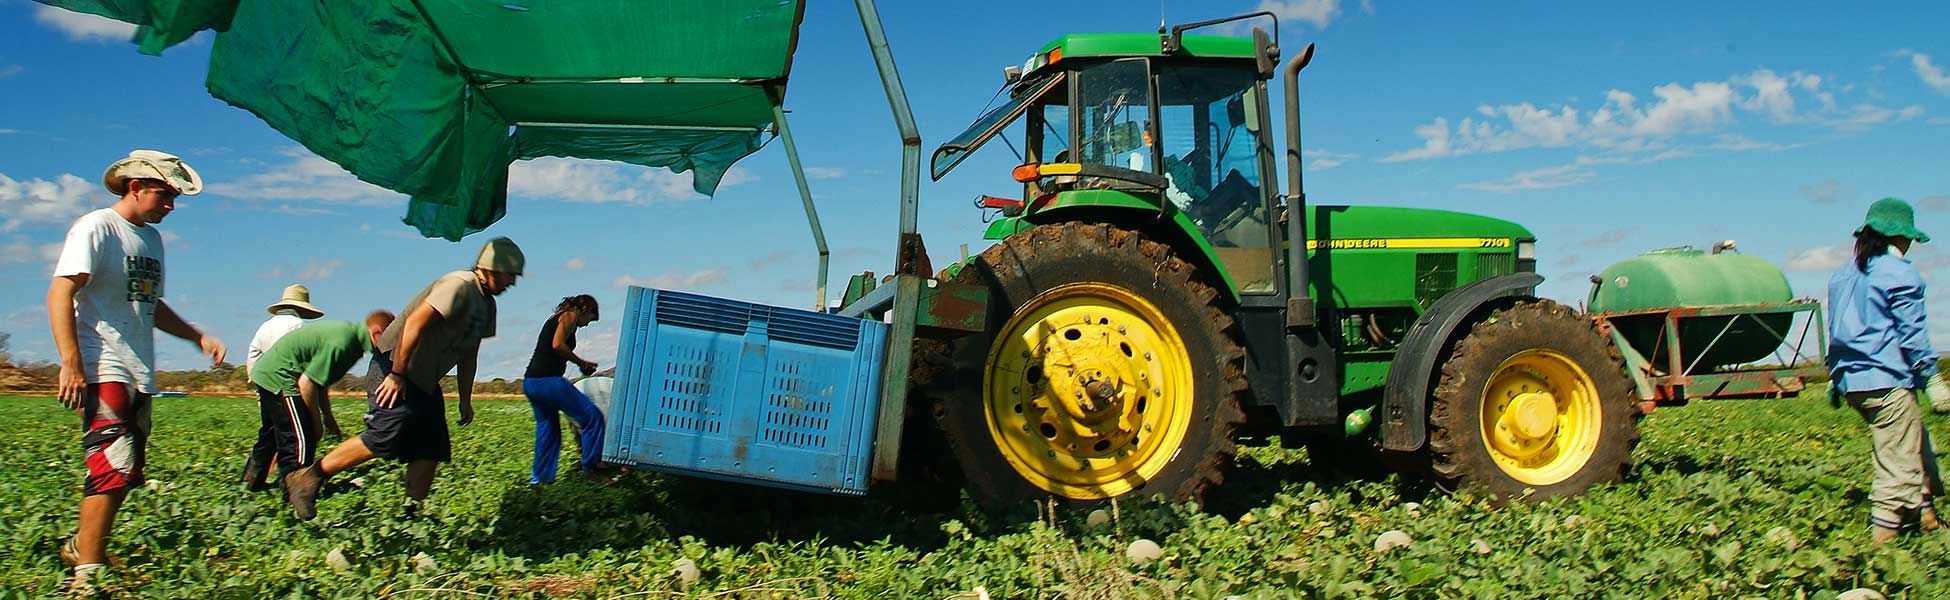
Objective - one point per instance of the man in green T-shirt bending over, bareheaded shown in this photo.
(295, 379)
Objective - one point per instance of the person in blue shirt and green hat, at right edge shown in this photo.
(1879, 357)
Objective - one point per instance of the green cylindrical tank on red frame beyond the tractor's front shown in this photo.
(1688, 278)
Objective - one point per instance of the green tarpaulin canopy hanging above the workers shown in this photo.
(436, 98)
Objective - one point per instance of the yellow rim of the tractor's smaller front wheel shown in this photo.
(1541, 418)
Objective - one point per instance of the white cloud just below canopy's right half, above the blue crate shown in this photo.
(605, 182)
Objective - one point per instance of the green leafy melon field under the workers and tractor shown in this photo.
(1733, 500)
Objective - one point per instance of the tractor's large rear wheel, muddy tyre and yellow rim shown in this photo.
(1111, 369)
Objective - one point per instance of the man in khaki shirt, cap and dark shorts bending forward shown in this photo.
(407, 416)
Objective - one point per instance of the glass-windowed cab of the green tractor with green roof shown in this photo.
(1111, 118)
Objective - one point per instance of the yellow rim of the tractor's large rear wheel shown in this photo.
(1089, 391)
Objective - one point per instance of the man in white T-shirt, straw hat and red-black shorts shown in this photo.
(104, 309)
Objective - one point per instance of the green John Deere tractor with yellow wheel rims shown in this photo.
(1150, 305)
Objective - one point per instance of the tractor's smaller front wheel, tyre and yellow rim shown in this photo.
(1534, 400)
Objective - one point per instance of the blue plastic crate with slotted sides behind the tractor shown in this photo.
(746, 393)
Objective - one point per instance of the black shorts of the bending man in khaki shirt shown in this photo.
(412, 430)
